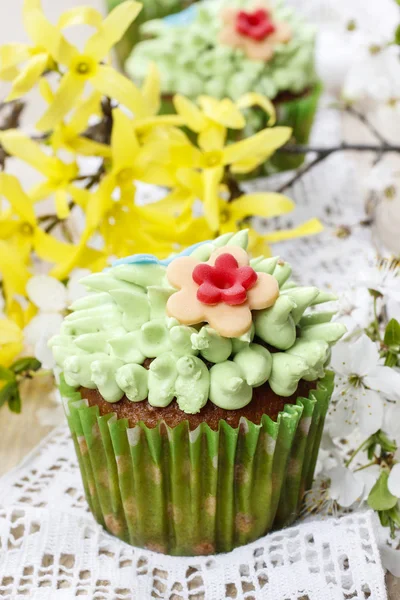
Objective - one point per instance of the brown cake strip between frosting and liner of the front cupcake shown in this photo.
(264, 401)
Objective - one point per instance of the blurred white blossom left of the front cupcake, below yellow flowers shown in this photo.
(52, 298)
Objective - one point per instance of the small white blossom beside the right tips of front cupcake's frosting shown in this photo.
(354, 309)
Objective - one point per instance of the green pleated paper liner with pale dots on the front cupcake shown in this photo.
(198, 492)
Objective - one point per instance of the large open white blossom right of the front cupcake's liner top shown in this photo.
(362, 383)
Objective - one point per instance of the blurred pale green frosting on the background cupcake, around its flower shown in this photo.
(192, 61)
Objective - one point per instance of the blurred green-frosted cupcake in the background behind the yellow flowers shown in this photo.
(228, 48)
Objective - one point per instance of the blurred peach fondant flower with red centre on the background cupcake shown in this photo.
(254, 32)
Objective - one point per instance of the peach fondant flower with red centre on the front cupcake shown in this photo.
(222, 292)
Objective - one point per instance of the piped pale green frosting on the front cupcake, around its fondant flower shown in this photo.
(108, 335)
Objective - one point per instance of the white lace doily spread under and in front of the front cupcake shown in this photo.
(52, 549)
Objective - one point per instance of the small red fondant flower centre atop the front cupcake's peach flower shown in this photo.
(225, 282)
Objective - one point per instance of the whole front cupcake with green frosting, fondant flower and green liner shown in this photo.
(196, 389)
